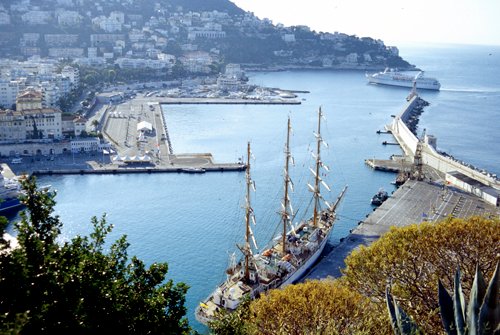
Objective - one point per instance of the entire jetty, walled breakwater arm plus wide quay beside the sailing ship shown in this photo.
(439, 187)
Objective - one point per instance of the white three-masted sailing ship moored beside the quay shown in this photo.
(287, 256)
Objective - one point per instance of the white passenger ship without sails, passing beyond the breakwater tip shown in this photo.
(393, 77)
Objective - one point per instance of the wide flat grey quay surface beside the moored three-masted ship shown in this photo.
(413, 202)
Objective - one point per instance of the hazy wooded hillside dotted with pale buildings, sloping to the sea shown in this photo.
(145, 28)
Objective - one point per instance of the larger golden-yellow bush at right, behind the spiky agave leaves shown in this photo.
(413, 258)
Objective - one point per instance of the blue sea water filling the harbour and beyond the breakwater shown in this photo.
(194, 221)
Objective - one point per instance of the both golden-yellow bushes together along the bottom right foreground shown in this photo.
(410, 259)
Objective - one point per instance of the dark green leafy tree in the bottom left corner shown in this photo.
(81, 286)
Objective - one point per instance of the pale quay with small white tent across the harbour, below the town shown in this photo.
(120, 126)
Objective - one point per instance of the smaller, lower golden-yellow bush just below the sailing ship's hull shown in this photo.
(314, 307)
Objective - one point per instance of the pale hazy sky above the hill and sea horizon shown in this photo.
(393, 21)
